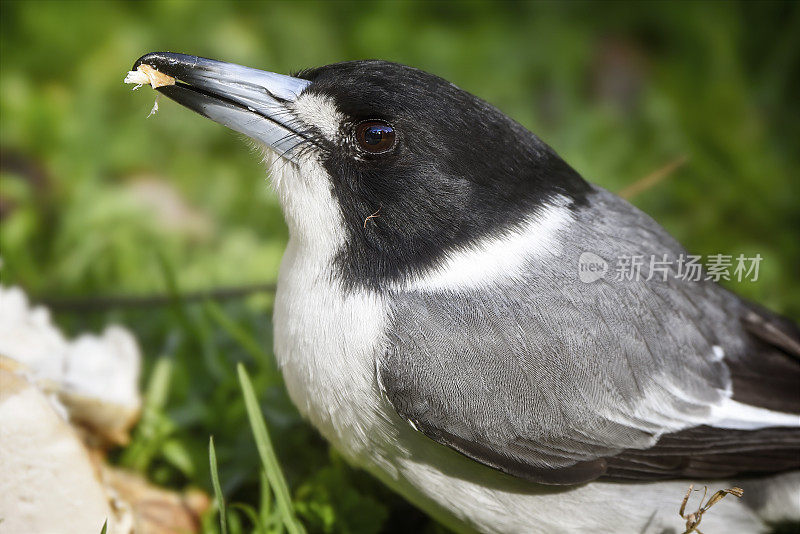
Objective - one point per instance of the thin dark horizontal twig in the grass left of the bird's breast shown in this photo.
(107, 302)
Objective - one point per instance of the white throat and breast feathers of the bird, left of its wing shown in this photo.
(325, 339)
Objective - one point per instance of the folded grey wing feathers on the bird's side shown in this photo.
(552, 379)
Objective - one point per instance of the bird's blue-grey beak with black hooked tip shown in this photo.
(251, 101)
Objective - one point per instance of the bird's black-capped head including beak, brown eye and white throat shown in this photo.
(386, 168)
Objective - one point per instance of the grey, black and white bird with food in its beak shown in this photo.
(433, 322)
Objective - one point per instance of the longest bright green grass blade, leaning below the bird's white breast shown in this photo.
(283, 499)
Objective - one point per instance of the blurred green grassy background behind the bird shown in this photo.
(99, 200)
